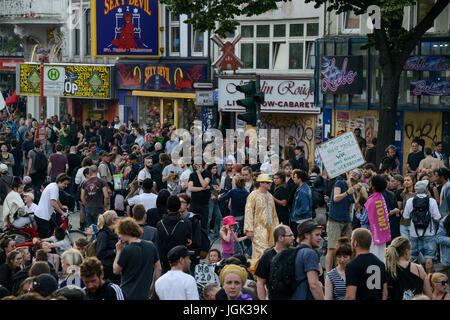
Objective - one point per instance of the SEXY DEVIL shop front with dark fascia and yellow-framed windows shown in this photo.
(160, 92)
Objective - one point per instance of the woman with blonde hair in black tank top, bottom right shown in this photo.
(405, 279)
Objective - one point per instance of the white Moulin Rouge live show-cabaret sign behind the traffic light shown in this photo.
(281, 95)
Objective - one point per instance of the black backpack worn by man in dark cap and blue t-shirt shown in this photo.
(282, 280)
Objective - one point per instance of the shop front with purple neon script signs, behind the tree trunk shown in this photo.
(424, 95)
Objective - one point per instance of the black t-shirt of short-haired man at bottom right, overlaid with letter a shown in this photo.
(368, 274)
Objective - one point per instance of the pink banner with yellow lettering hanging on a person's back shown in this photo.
(378, 215)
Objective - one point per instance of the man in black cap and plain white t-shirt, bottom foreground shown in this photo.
(177, 284)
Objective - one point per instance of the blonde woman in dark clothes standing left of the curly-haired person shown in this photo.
(106, 240)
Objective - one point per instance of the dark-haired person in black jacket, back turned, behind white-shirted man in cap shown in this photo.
(173, 230)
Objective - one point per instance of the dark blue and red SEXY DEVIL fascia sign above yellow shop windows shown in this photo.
(160, 77)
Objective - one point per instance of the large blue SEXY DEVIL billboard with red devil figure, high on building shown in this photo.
(125, 28)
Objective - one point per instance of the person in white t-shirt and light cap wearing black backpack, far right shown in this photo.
(422, 210)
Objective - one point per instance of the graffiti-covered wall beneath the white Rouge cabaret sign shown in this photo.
(300, 128)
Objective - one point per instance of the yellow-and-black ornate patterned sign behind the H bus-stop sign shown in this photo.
(80, 81)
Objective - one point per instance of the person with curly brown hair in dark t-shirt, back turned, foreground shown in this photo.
(137, 261)
